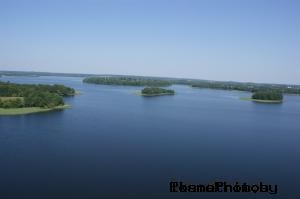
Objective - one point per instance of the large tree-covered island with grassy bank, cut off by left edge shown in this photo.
(29, 98)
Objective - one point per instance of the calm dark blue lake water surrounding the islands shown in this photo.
(113, 143)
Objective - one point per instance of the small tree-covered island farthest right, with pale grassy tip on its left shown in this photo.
(267, 97)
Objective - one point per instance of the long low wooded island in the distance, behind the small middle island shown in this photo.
(128, 81)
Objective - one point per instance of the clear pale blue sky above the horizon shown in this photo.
(241, 40)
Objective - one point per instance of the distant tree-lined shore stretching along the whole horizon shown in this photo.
(132, 80)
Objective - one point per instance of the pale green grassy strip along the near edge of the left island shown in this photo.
(29, 110)
